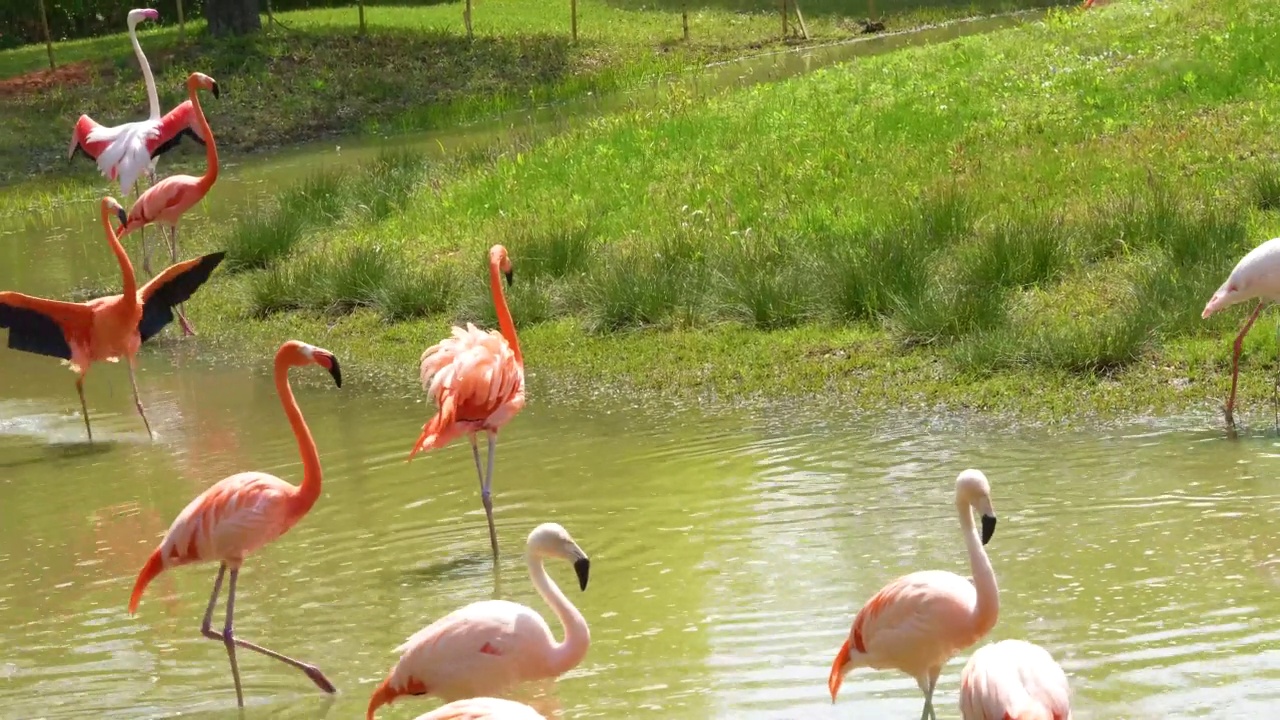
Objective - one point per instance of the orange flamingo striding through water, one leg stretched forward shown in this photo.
(243, 513)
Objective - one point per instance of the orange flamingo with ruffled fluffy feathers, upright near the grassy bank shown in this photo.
(478, 382)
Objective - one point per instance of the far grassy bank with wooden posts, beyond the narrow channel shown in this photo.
(415, 70)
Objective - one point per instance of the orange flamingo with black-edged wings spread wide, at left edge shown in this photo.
(106, 329)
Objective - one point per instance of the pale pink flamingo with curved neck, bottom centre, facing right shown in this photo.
(488, 646)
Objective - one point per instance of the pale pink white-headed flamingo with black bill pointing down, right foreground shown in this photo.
(920, 622)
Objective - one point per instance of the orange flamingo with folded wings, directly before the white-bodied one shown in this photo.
(168, 200)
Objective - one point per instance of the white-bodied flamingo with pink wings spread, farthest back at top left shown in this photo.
(125, 152)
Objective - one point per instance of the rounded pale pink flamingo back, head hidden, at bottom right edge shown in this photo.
(1014, 681)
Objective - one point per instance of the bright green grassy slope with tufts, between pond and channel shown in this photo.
(767, 234)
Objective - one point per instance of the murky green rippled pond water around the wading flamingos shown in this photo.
(730, 546)
